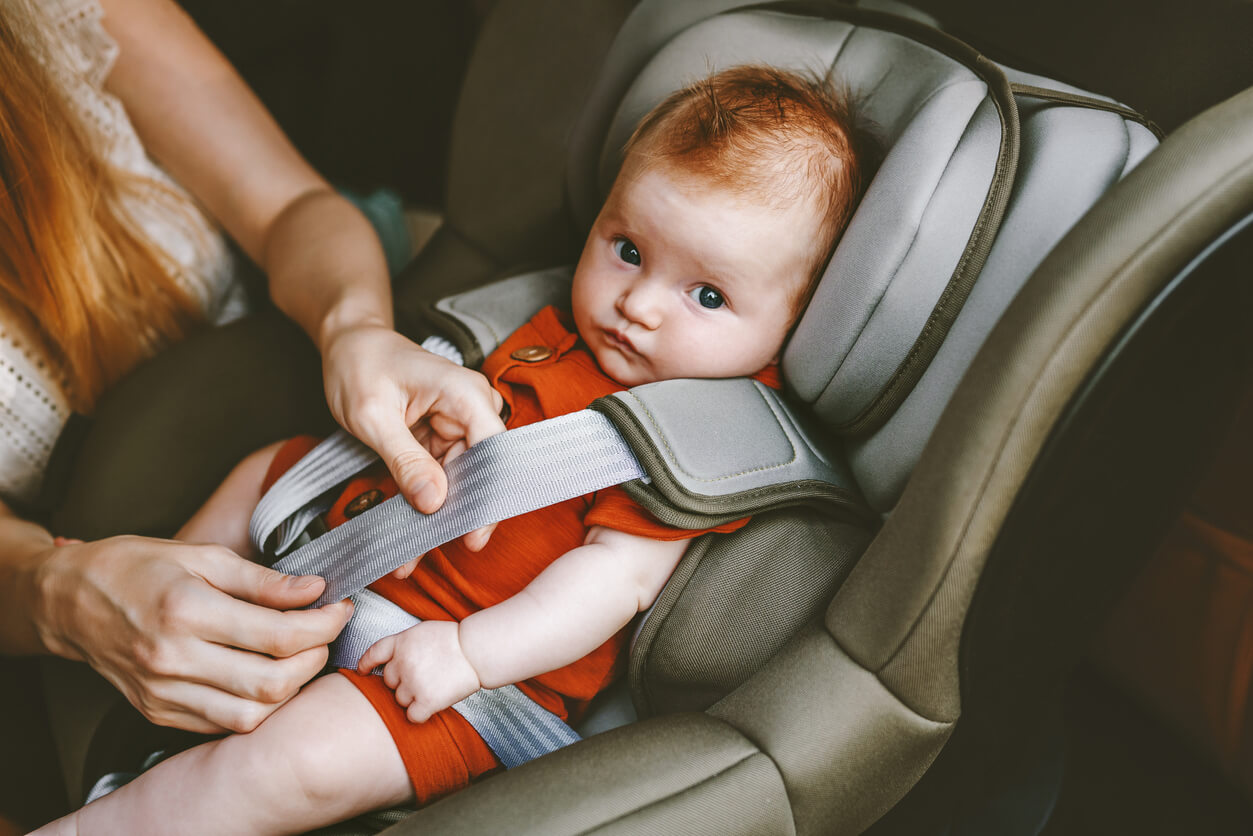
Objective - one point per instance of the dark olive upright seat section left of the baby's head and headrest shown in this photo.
(511, 132)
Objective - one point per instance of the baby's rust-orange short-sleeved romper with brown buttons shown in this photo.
(450, 583)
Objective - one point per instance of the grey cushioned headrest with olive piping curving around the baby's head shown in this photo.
(943, 135)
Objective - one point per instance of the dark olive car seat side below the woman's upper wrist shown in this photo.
(224, 393)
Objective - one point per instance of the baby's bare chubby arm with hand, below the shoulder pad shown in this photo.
(568, 611)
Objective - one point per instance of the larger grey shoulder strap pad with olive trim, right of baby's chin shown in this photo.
(702, 462)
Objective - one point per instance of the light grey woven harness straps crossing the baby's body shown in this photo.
(509, 474)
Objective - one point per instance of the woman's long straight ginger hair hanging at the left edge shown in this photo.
(73, 265)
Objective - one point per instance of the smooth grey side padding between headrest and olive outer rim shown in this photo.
(1069, 159)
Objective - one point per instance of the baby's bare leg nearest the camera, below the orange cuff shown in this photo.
(324, 758)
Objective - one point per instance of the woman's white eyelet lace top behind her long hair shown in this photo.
(33, 402)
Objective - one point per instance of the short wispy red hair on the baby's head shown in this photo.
(774, 135)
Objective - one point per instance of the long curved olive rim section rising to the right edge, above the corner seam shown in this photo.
(902, 610)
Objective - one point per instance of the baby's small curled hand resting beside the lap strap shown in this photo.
(425, 666)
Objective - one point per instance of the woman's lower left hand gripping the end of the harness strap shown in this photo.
(192, 635)
